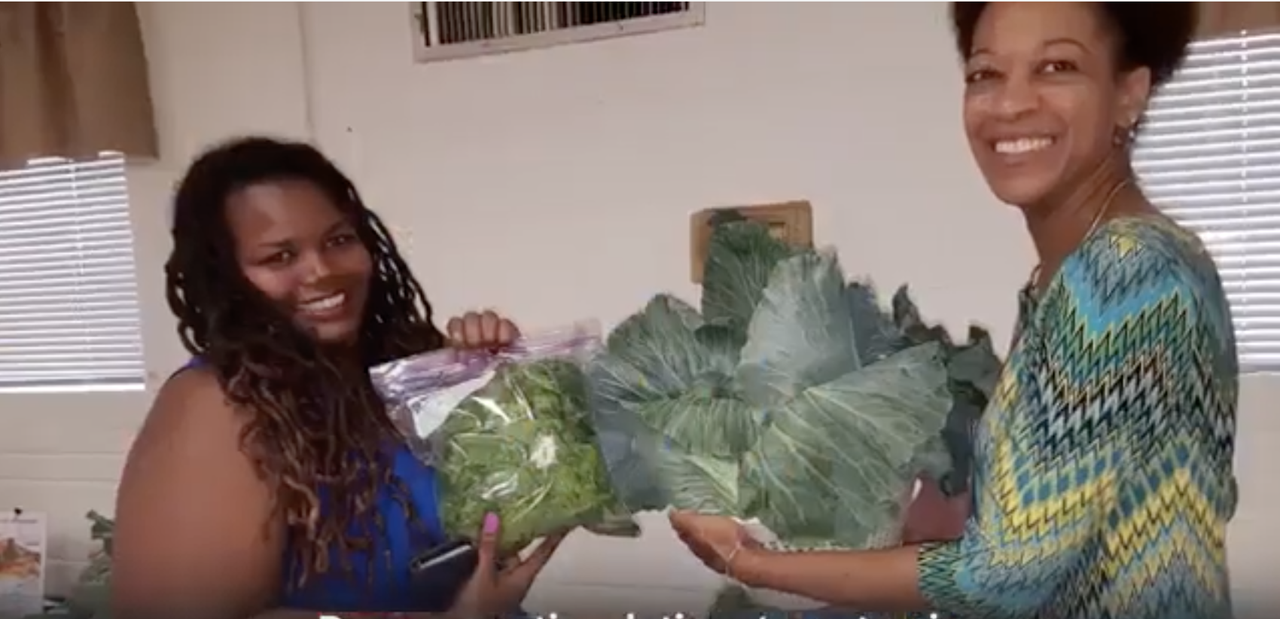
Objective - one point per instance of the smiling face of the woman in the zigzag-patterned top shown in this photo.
(1045, 100)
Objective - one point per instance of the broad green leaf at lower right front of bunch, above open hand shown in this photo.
(834, 462)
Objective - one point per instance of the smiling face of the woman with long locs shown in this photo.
(303, 253)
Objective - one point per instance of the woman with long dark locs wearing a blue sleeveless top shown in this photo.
(268, 479)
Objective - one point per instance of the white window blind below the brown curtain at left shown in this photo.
(68, 294)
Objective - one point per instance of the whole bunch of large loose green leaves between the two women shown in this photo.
(792, 398)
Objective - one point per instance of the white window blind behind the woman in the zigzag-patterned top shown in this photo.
(1210, 157)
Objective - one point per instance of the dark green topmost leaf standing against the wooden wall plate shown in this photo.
(740, 258)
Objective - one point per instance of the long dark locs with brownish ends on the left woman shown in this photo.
(316, 429)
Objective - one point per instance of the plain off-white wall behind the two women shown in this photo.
(556, 185)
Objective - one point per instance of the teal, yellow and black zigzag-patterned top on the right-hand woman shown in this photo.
(1113, 456)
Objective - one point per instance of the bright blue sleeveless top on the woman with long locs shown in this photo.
(388, 592)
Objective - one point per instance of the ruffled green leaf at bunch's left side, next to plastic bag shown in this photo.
(664, 383)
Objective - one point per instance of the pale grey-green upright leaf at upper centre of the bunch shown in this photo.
(801, 334)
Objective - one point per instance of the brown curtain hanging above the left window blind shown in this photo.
(74, 82)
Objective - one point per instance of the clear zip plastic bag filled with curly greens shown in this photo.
(509, 432)
